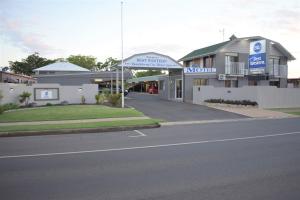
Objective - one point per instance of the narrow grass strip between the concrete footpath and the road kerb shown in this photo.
(46, 127)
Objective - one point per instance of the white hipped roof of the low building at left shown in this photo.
(62, 66)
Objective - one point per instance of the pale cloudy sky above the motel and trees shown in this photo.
(59, 28)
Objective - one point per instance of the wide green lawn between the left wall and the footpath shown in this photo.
(67, 113)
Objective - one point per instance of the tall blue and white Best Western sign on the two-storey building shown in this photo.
(257, 57)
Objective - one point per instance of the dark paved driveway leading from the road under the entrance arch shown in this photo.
(153, 106)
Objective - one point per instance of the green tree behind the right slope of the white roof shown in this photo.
(88, 62)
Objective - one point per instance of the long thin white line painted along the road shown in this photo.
(148, 147)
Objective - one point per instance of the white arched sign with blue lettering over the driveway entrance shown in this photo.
(151, 60)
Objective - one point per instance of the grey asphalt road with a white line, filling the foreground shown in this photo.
(256, 159)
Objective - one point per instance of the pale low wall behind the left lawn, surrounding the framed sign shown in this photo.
(72, 94)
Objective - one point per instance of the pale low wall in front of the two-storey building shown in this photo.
(265, 96)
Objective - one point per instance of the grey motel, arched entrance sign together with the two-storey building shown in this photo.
(238, 62)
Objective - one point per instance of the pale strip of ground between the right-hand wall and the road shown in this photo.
(254, 112)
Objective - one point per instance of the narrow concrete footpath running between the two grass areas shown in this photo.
(72, 121)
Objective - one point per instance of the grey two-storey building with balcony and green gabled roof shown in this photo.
(249, 61)
